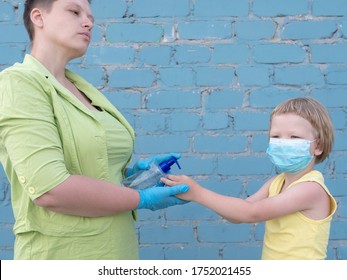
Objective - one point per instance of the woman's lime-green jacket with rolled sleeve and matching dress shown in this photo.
(46, 134)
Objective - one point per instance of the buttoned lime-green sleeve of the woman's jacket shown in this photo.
(29, 137)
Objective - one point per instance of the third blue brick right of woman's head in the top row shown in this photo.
(220, 8)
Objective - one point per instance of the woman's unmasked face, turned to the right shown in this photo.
(66, 27)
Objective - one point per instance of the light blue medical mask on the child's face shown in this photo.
(289, 155)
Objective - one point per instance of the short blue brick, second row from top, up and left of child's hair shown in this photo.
(255, 29)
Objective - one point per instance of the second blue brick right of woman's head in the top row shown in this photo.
(161, 8)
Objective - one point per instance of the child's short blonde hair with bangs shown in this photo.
(317, 115)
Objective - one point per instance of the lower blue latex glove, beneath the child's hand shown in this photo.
(156, 198)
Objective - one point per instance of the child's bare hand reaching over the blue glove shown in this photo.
(194, 187)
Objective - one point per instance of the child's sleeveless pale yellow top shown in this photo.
(295, 236)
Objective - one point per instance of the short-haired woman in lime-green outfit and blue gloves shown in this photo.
(64, 147)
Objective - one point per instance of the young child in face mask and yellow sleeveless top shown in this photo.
(296, 204)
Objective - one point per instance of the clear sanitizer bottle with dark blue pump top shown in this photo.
(151, 177)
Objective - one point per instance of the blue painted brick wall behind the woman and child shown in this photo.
(200, 77)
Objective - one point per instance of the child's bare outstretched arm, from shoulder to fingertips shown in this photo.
(256, 208)
